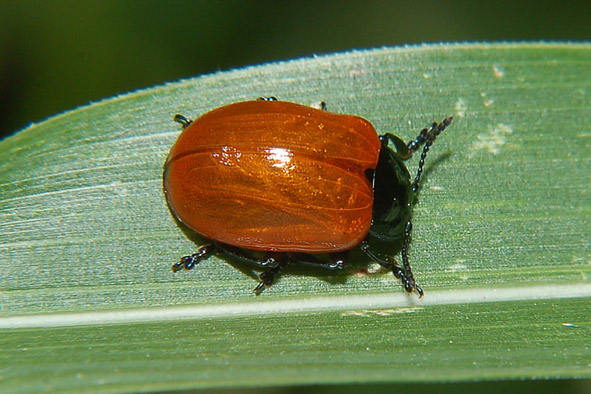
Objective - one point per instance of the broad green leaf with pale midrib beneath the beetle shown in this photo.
(501, 241)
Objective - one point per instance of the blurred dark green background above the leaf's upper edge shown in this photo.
(60, 54)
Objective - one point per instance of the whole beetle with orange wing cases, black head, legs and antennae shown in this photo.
(273, 183)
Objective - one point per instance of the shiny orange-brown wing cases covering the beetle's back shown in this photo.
(274, 176)
